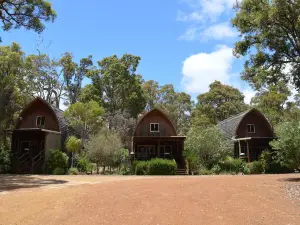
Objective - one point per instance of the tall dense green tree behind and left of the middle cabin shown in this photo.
(118, 84)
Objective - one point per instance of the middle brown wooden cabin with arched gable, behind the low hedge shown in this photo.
(156, 137)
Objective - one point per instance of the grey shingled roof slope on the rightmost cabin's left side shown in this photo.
(230, 125)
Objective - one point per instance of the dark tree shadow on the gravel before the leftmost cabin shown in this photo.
(12, 182)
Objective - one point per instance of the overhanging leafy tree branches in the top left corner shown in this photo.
(29, 14)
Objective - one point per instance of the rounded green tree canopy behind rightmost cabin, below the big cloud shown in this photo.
(219, 103)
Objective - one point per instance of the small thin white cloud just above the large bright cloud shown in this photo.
(218, 32)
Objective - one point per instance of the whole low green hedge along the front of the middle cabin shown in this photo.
(155, 167)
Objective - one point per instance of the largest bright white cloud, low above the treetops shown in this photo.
(202, 69)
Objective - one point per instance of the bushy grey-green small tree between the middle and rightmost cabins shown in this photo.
(207, 145)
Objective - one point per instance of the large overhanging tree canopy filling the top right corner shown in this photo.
(270, 32)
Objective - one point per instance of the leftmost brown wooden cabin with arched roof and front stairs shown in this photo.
(40, 127)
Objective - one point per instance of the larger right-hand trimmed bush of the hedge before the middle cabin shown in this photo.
(162, 167)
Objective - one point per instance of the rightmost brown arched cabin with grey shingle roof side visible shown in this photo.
(251, 132)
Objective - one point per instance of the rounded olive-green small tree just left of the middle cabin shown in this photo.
(102, 148)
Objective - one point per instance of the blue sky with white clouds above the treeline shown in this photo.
(184, 42)
